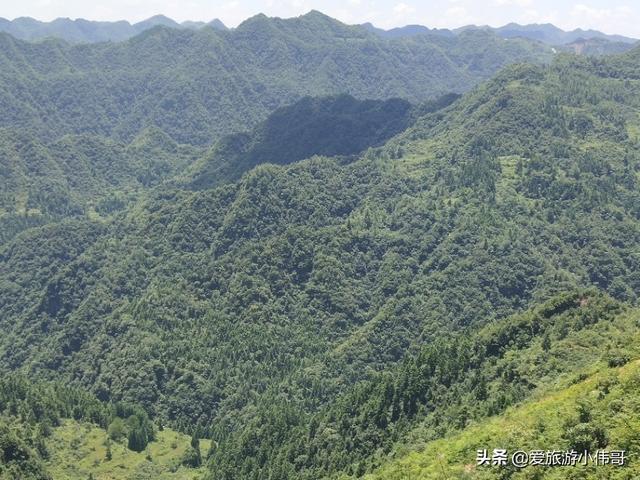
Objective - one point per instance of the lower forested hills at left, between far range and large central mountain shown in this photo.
(79, 175)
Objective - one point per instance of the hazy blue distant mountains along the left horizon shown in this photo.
(85, 31)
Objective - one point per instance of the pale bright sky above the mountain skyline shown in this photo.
(609, 16)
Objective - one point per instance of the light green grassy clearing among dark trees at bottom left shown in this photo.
(79, 449)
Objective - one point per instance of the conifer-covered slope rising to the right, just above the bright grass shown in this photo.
(456, 381)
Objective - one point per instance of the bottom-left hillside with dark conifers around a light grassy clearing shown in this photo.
(50, 431)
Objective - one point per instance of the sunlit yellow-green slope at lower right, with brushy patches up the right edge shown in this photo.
(611, 395)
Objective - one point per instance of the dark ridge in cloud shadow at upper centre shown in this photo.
(328, 126)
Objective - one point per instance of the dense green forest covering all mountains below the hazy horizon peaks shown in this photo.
(319, 286)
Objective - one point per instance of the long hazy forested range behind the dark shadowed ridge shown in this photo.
(198, 85)
